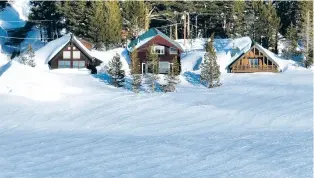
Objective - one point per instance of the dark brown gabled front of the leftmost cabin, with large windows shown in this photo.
(73, 54)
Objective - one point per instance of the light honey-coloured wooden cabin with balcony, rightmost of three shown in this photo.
(257, 59)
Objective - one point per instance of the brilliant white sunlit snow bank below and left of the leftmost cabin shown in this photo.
(32, 83)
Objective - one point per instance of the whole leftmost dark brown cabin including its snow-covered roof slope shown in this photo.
(68, 52)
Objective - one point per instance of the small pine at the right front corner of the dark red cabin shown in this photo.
(172, 77)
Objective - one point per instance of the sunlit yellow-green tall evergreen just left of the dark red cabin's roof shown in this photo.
(113, 24)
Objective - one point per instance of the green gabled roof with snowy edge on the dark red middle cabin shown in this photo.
(147, 36)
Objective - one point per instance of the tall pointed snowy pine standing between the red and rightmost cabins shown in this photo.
(210, 73)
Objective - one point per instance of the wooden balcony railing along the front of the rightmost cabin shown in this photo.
(249, 69)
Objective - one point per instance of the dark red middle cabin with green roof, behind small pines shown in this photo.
(161, 44)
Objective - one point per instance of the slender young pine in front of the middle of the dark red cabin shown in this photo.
(152, 62)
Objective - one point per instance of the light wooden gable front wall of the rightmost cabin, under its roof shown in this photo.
(253, 61)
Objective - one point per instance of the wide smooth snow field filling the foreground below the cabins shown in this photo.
(68, 123)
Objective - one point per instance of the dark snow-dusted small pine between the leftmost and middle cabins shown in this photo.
(116, 72)
